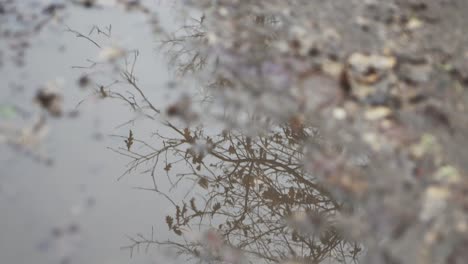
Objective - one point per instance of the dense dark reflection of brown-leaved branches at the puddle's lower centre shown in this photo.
(255, 200)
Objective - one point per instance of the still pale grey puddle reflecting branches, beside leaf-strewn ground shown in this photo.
(63, 200)
